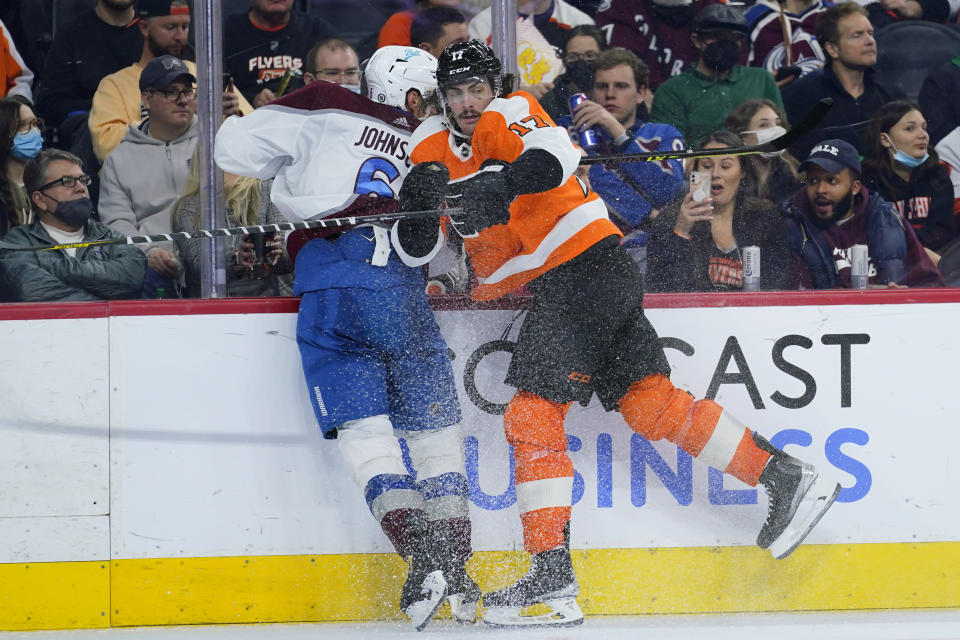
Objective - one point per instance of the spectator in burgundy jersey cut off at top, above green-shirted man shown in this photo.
(658, 31)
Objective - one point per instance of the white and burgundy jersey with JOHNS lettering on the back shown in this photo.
(327, 148)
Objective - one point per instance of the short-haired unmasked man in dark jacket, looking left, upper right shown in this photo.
(846, 36)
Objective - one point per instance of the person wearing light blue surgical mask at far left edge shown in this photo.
(20, 140)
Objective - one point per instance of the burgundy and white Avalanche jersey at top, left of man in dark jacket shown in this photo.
(769, 33)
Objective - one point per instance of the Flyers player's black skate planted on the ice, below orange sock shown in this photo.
(550, 581)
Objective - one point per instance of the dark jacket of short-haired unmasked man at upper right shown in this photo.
(799, 96)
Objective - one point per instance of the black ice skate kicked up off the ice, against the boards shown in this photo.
(799, 496)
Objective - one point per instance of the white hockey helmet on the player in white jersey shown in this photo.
(393, 70)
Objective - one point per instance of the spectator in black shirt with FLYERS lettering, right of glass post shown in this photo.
(265, 43)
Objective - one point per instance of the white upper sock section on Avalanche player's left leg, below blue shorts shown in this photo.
(370, 449)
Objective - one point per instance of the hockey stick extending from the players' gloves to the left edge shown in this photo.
(323, 223)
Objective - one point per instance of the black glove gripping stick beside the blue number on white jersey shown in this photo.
(423, 190)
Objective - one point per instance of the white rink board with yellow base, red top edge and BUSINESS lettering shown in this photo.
(160, 465)
